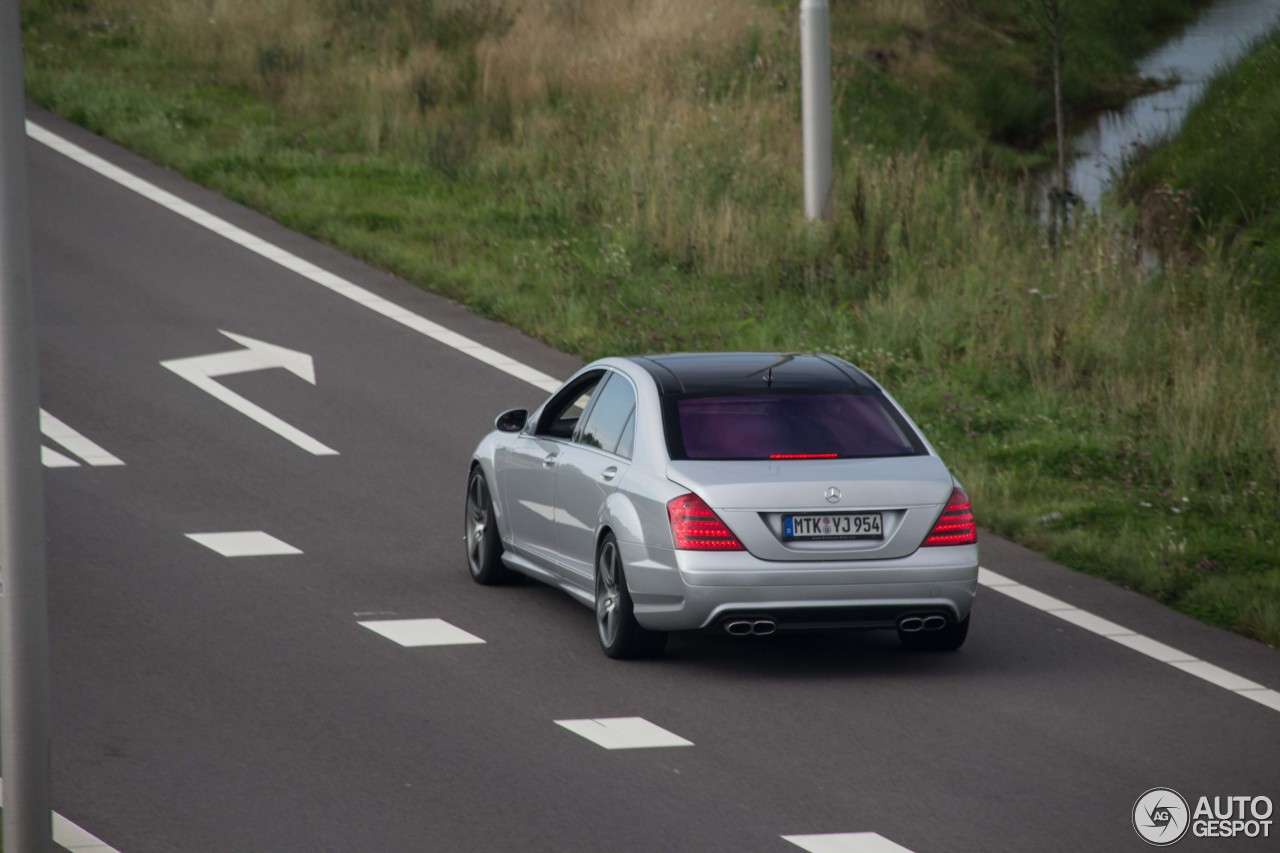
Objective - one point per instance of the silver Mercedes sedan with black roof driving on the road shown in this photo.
(746, 492)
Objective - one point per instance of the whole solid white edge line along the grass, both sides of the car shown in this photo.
(1264, 696)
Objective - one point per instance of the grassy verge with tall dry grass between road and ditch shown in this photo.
(625, 177)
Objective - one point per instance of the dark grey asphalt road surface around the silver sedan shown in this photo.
(205, 703)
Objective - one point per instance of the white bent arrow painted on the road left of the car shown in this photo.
(259, 355)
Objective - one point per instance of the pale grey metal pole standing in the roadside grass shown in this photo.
(816, 85)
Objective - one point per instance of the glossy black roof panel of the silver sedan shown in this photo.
(744, 372)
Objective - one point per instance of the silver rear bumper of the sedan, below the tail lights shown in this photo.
(703, 590)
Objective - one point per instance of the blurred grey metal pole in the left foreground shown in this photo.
(25, 740)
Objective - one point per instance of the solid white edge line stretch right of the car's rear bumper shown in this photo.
(1155, 650)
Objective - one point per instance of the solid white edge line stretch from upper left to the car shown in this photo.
(292, 262)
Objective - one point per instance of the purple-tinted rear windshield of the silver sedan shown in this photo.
(788, 426)
